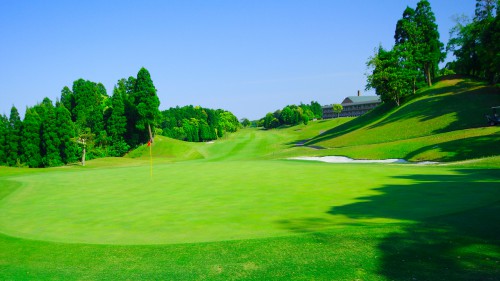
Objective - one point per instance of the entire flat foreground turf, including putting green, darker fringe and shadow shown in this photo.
(320, 221)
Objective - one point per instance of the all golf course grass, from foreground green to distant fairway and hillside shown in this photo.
(239, 208)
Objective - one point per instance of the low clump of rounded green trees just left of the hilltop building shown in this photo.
(292, 115)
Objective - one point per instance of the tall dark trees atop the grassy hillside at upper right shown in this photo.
(412, 63)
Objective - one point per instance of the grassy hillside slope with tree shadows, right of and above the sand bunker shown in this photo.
(445, 122)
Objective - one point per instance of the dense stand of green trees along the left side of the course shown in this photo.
(85, 116)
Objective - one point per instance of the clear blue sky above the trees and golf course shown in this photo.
(249, 57)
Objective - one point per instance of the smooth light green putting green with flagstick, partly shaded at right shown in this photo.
(198, 201)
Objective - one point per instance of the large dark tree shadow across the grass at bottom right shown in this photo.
(454, 228)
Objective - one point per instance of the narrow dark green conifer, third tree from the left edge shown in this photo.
(31, 139)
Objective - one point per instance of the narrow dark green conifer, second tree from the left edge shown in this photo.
(14, 137)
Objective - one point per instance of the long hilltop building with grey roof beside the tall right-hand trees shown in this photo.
(353, 106)
